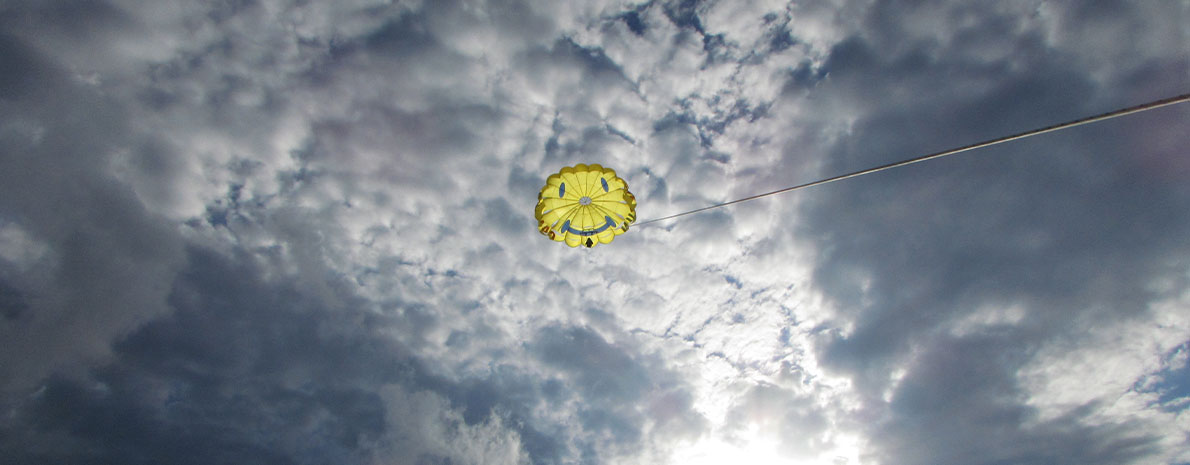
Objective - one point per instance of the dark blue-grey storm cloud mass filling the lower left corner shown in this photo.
(241, 372)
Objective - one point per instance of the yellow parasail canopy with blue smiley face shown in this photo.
(586, 205)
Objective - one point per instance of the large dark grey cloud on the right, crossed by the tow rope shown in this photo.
(1070, 227)
